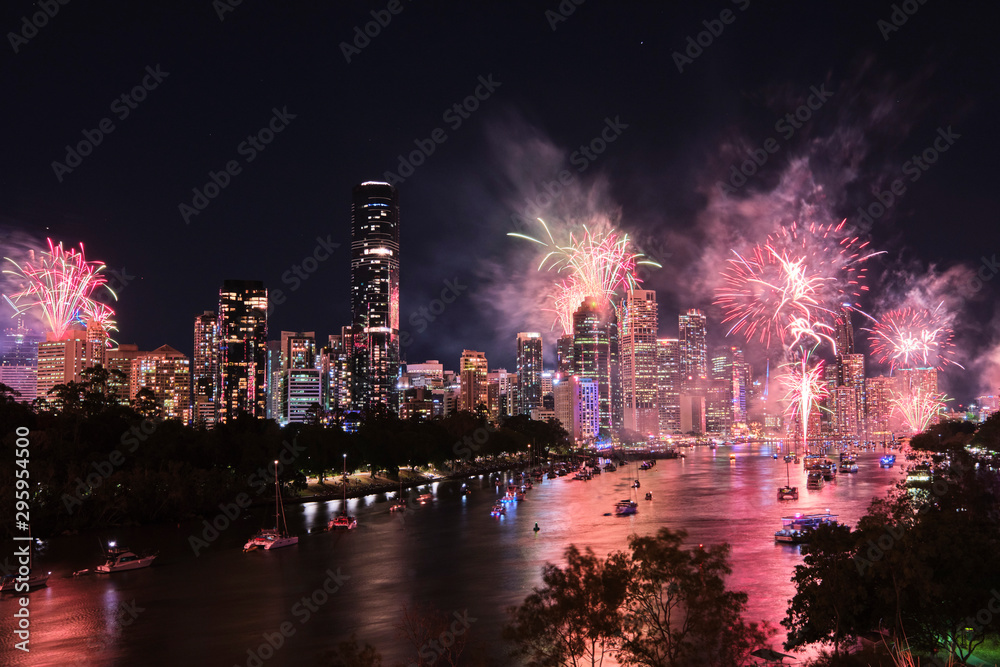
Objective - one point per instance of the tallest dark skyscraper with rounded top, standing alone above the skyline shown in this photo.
(375, 295)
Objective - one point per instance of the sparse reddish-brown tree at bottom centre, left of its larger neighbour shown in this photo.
(575, 618)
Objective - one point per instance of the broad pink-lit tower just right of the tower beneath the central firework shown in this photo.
(639, 369)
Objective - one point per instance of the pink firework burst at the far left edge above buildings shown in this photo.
(57, 286)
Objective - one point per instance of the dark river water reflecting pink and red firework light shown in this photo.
(217, 607)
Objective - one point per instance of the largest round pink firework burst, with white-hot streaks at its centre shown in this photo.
(798, 275)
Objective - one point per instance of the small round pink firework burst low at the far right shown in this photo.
(913, 338)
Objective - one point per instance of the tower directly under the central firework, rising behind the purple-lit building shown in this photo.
(592, 355)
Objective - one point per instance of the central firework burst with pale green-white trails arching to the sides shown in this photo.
(597, 263)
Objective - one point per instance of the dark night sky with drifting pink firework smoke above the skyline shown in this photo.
(556, 81)
